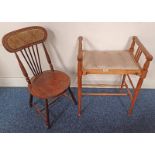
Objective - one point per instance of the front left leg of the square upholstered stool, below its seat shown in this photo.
(79, 93)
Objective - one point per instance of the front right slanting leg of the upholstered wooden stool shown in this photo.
(136, 92)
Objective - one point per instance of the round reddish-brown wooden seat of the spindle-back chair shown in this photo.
(49, 84)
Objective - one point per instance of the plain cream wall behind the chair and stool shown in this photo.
(62, 42)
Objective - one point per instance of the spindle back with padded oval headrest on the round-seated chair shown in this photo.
(26, 42)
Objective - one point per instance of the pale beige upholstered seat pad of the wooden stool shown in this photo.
(109, 60)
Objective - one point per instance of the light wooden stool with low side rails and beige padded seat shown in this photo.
(124, 63)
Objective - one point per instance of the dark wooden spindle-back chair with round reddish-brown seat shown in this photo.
(44, 84)
